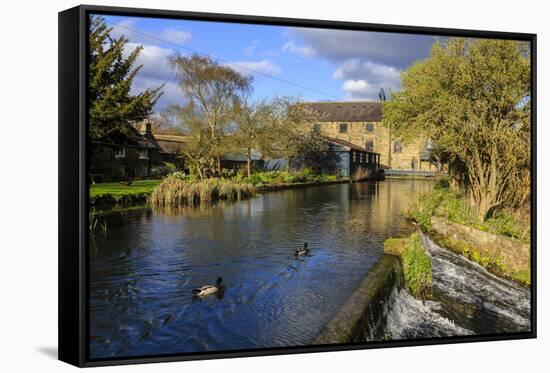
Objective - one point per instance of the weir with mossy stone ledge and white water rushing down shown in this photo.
(467, 300)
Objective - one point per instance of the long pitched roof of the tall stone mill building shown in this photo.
(348, 111)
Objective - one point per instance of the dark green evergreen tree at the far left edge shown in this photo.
(112, 108)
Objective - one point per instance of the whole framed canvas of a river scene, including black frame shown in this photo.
(235, 186)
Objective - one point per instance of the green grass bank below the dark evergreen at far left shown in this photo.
(118, 194)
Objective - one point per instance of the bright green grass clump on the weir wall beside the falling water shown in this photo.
(417, 265)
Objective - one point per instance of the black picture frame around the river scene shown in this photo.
(73, 187)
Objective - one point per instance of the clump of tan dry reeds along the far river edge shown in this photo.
(175, 191)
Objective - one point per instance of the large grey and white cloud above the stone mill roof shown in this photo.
(364, 61)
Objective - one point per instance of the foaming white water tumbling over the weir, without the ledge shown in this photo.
(467, 300)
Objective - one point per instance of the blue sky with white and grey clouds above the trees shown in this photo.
(334, 64)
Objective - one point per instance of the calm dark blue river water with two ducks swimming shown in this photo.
(143, 269)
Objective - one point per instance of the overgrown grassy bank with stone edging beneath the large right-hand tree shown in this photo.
(512, 227)
